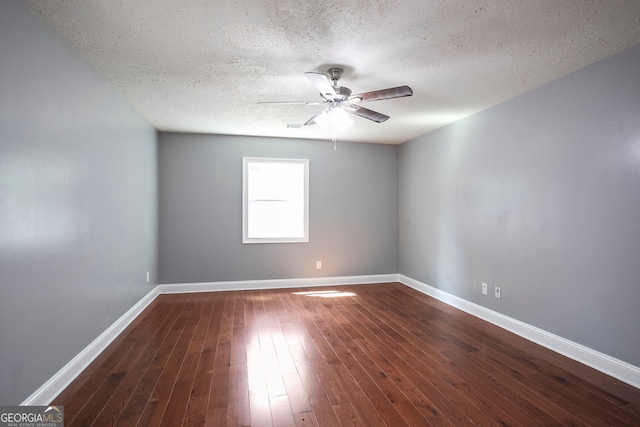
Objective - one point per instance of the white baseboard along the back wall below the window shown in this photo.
(245, 285)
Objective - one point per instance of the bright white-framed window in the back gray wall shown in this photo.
(275, 200)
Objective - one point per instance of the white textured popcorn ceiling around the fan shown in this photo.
(202, 66)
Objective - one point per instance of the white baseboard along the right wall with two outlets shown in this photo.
(623, 371)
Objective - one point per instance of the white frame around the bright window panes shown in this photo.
(245, 202)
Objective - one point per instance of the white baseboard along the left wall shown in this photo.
(56, 384)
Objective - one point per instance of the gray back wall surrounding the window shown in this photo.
(353, 210)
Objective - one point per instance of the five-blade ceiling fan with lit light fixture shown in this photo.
(340, 98)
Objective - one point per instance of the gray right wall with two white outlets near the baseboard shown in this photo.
(539, 195)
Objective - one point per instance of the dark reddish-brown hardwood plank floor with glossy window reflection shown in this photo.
(370, 355)
